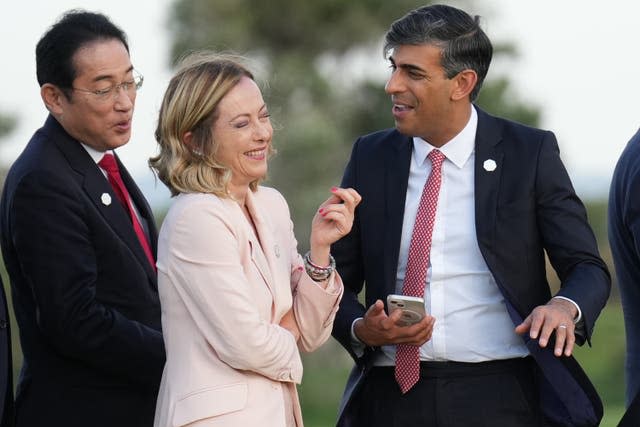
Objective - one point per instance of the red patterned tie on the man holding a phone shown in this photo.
(408, 356)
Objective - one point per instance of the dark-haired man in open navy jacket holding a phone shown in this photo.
(489, 197)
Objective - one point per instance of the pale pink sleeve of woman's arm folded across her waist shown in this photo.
(204, 265)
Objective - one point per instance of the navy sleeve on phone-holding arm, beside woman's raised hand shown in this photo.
(348, 254)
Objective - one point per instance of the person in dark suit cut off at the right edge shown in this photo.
(624, 235)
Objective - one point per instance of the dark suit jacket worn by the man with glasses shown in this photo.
(84, 294)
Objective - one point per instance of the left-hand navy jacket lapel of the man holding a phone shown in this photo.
(397, 165)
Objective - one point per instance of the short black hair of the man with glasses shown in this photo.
(75, 29)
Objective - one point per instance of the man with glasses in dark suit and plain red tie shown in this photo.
(78, 246)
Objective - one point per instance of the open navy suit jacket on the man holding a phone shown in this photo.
(524, 207)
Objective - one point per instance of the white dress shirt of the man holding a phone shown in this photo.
(472, 322)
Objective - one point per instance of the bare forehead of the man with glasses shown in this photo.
(102, 59)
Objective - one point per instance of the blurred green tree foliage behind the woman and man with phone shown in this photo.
(317, 113)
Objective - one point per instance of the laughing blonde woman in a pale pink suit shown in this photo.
(238, 301)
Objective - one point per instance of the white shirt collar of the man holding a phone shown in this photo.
(457, 150)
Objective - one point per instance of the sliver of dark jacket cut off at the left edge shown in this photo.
(6, 368)
